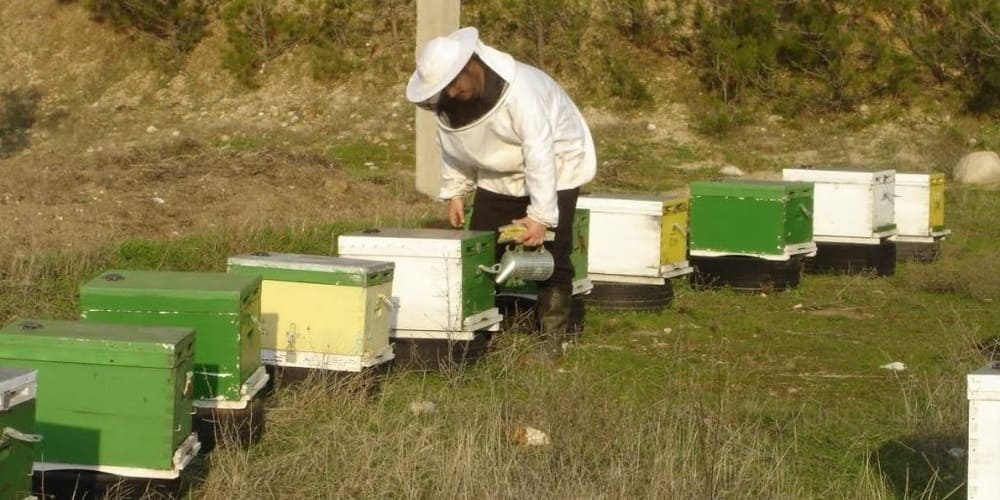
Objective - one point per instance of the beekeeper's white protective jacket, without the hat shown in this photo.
(532, 143)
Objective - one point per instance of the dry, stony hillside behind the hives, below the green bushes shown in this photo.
(117, 147)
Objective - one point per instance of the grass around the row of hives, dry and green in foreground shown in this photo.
(723, 395)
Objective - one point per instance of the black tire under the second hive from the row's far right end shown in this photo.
(847, 258)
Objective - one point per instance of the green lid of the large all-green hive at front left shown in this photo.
(94, 343)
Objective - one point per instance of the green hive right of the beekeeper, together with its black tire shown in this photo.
(752, 234)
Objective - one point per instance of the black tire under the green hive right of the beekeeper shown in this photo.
(750, 274)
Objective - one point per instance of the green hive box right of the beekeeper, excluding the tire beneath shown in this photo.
(766, 219)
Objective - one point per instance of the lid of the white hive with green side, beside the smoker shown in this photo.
(451, 243)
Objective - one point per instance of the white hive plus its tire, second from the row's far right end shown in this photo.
(855, 218)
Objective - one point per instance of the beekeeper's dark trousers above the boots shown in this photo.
(491, 210)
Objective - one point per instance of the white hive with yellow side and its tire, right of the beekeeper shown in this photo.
(637, 243)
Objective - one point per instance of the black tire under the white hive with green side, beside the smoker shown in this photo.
(433, 354)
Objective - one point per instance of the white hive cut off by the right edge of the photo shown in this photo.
(984, 432)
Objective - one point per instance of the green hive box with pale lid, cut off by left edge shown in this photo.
(17, 425)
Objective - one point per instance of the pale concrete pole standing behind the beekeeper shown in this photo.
(434, 18)
